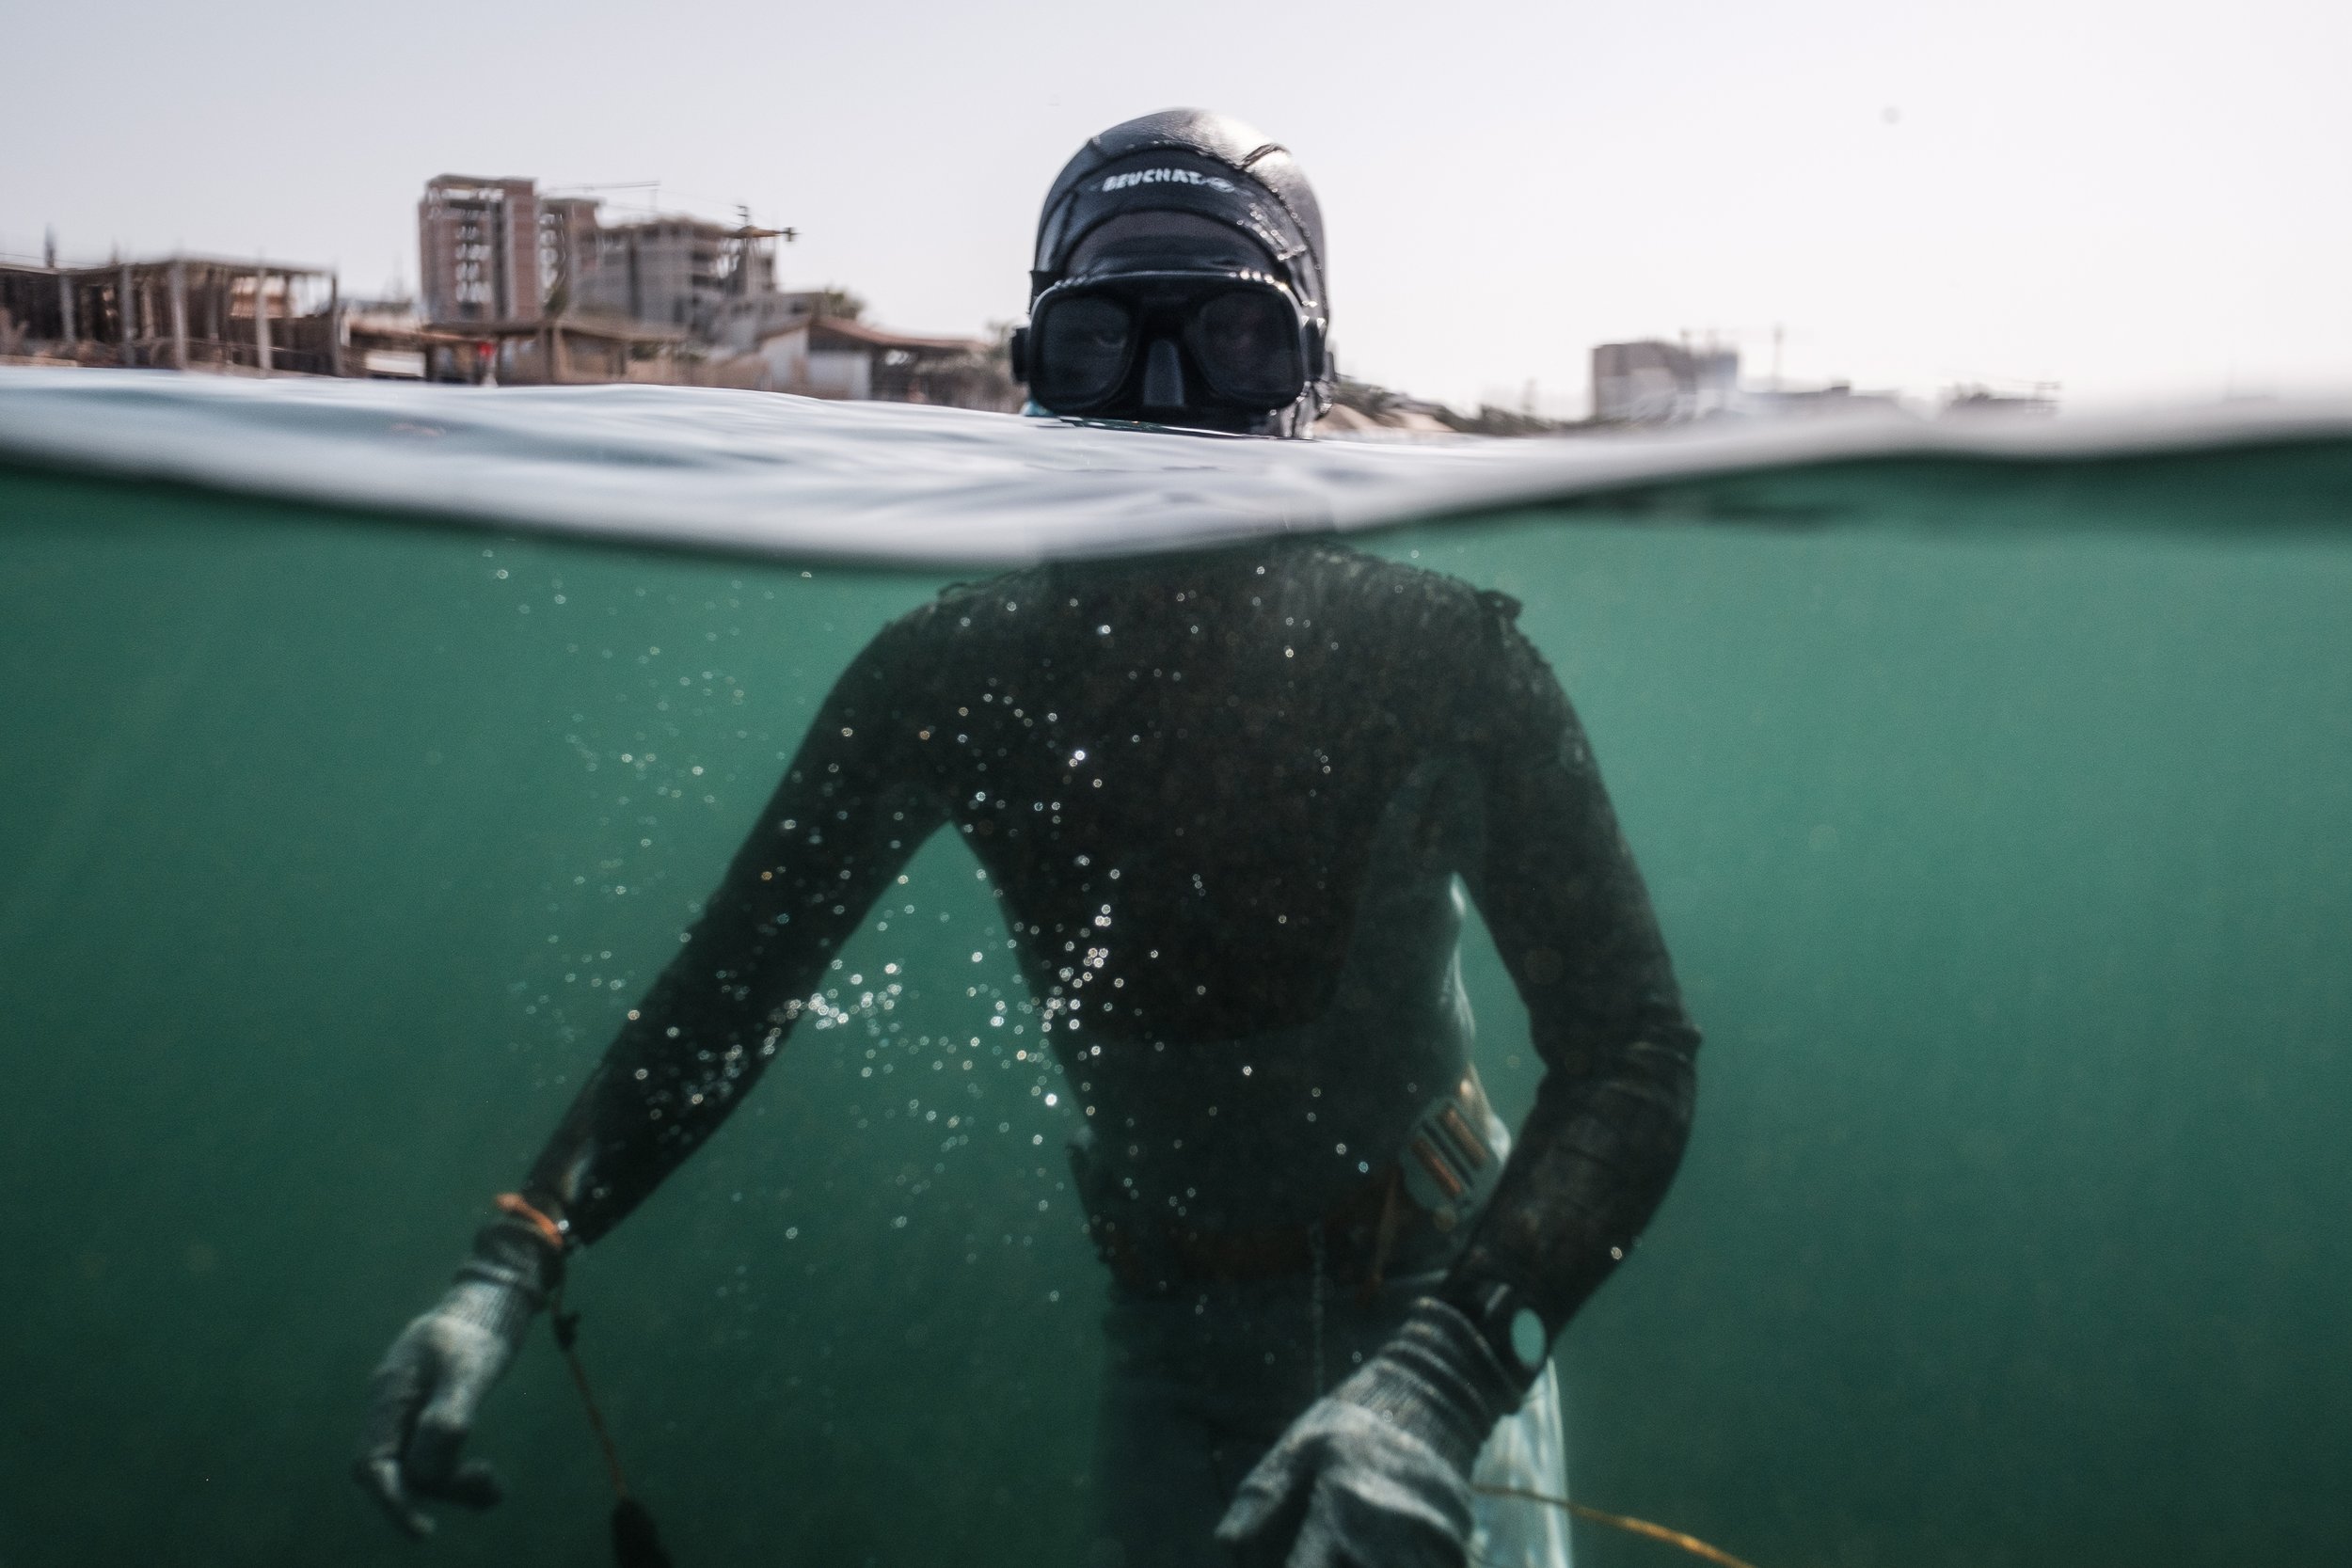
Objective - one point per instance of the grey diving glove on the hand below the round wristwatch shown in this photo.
(1377, 1473)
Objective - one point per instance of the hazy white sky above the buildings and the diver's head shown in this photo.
(2141, 201)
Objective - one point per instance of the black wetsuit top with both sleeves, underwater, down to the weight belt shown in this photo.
(1224, 800)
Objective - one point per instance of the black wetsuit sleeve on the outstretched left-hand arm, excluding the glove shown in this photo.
(850, 812)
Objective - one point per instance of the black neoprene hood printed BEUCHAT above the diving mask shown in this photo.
(1189, 161)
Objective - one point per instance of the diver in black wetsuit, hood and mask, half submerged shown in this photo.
(1231, 805)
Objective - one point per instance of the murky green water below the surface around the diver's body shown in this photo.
(2012, 880)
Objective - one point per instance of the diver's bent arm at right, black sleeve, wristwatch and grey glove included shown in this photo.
(1379, 1470)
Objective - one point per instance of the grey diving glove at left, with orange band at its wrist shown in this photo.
(432, 1381)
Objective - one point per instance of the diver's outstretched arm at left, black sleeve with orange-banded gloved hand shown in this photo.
(850, 812)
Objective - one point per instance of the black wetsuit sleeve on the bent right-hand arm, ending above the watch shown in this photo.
(1572, 920)
